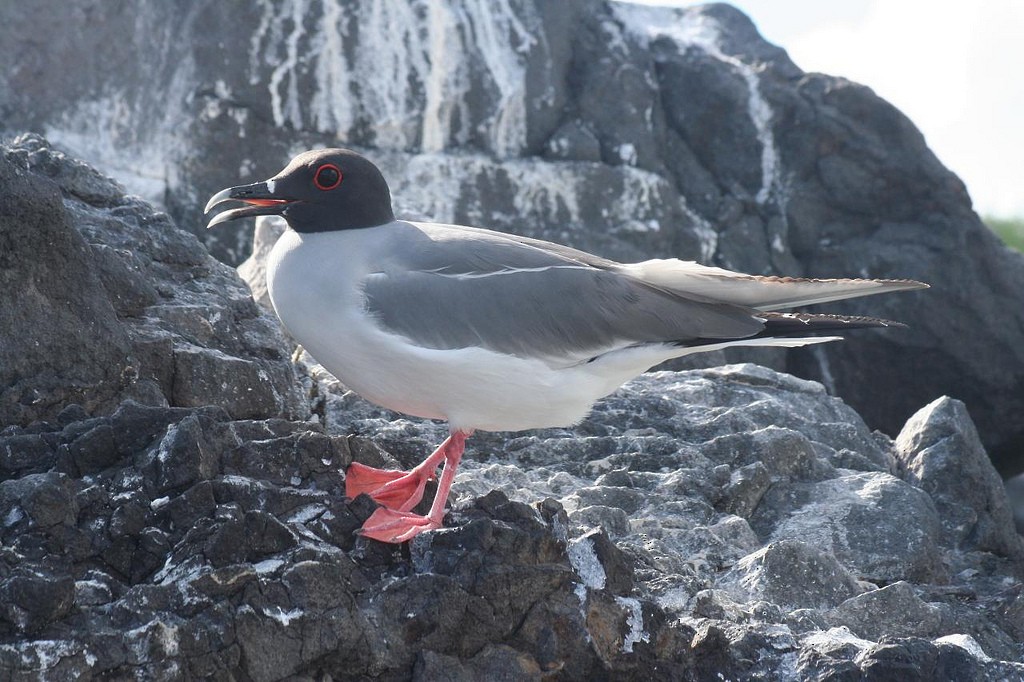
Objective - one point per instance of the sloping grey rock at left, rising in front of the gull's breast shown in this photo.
(105, 300)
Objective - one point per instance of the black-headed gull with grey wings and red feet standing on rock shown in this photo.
(492, 331)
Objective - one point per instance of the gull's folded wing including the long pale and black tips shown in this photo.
(453, 287)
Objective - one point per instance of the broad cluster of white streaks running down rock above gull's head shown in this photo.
(409, 76)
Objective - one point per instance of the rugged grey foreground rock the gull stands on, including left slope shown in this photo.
(173, 506)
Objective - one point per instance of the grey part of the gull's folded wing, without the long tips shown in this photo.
(462, 288)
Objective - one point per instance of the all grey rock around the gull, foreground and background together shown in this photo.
(172, 470)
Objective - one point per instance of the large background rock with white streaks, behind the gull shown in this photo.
(632, 132)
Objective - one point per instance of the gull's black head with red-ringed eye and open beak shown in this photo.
(320, 191)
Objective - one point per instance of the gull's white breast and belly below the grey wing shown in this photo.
(315, 282)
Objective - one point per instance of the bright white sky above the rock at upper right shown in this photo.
(956, 69)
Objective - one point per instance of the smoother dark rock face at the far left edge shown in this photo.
(61, 338)
